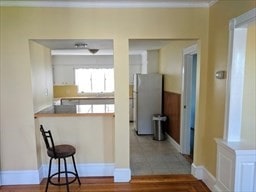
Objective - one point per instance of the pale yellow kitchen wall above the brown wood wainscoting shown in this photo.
(171, 63)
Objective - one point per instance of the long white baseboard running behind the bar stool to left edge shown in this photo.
(36, 176)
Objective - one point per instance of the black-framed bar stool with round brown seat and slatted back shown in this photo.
(59, 152)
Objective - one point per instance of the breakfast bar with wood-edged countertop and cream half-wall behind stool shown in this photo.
(90, 128)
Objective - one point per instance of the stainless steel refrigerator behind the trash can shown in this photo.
(147, 95)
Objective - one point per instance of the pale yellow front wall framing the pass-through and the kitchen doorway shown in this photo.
(19, 25)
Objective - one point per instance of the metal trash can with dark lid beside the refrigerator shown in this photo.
(158, 127)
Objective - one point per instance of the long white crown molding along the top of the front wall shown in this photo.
(110, 4)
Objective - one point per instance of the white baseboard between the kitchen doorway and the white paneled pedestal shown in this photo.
(200, 172)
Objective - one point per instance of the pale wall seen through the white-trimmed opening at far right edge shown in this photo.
(248, 130)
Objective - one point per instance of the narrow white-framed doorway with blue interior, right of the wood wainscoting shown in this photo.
(188, 106)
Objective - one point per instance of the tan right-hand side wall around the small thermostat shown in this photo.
(220, 15)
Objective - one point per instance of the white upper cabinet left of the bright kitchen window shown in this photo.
(63, 75)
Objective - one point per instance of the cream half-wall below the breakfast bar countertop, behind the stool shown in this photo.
(92, 136)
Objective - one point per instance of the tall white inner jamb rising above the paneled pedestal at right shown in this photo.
(236, 85)
